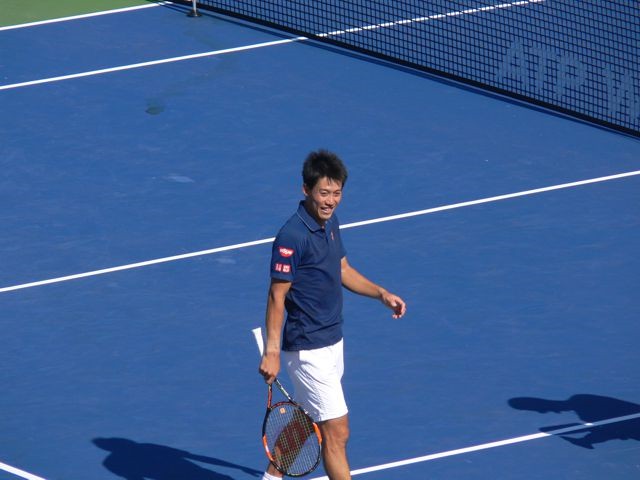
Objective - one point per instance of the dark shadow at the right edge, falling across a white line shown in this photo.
(589, 409)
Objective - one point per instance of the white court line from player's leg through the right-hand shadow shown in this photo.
(486, 446)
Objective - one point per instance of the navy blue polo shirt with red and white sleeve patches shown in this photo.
(308, 256)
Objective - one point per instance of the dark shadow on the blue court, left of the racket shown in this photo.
(147, 461)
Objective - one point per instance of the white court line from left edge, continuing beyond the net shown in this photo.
(260, 45)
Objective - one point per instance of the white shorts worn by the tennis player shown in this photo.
(316, 376)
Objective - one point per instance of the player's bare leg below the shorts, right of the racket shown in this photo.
(335, 434)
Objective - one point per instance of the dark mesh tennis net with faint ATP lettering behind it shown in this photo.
(581, 58)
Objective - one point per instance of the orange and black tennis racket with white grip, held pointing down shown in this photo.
(291, 438)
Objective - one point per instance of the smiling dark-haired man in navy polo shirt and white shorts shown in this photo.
(309, 267)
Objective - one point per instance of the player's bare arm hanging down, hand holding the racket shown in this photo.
(270, 364)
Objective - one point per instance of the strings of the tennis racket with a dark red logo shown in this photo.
(291, 440)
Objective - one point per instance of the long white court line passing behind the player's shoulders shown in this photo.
(349, 225)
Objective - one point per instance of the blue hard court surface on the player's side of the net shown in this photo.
(522, 309)
